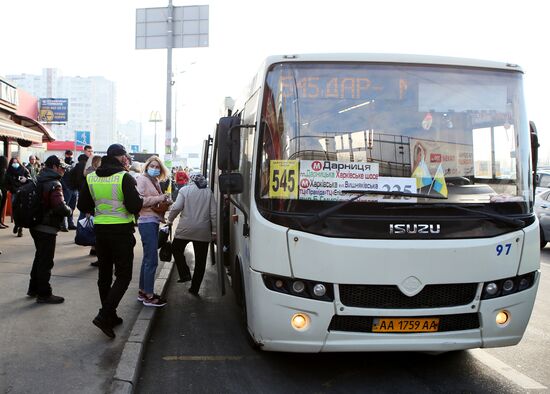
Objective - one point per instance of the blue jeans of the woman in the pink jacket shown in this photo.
(149, 239)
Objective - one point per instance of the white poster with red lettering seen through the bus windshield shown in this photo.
(456, 159)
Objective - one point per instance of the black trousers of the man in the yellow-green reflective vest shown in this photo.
(114, 250)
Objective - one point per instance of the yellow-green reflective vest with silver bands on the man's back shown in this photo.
(109, 199)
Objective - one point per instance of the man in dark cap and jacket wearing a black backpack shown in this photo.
(44, 234)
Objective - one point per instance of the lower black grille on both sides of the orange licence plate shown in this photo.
(465, 321)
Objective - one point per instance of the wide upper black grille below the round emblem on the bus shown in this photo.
(390, 297)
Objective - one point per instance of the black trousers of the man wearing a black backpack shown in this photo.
(42, 265)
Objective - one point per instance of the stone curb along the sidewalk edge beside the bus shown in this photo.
(126, 374)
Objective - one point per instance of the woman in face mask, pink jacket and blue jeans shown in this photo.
(148, 224)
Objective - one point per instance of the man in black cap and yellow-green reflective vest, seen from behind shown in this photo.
(110, 195)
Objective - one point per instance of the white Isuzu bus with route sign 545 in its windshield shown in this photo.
(379, 203)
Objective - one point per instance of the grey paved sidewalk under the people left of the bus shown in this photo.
(56, 348)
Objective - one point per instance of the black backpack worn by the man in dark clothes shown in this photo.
(27, 205)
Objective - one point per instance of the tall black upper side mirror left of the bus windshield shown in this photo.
(229, 143)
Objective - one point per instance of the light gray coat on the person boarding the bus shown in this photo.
(198, 213)
